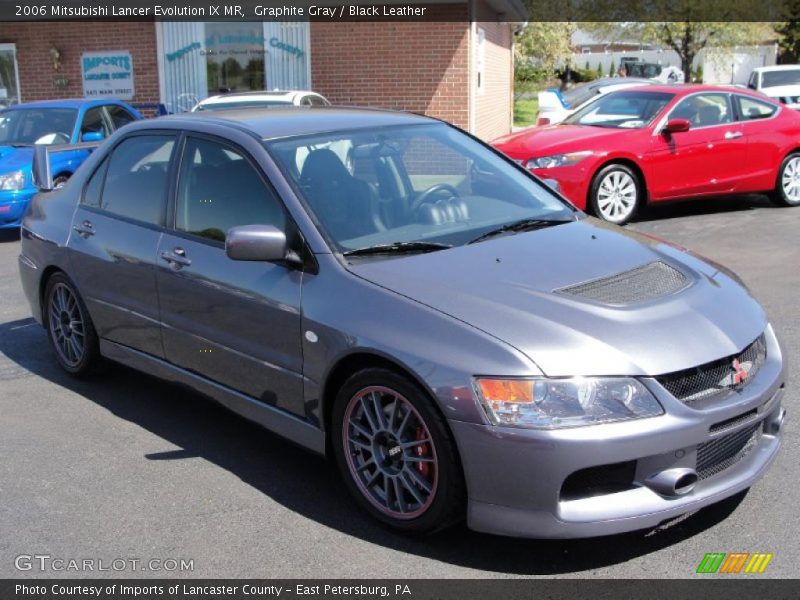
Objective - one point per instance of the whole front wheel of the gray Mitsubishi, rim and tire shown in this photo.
(418, 488)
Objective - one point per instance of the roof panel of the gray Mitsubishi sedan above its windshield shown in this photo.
(279, 122)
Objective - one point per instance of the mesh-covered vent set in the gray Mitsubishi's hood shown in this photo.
(651, 281)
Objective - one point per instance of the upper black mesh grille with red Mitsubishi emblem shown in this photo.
(691, 385)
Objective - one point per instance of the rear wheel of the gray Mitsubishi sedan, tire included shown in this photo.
(69, 328)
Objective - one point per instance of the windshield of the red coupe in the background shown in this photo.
(622, 110)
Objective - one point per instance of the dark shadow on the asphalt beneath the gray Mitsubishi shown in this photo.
(306, 483)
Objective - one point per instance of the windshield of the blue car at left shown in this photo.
(28, 126)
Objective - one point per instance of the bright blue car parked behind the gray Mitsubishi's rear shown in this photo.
(23, 126)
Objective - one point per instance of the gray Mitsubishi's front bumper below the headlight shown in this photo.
(516, 477)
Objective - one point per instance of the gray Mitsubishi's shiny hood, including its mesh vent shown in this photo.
(583, 298)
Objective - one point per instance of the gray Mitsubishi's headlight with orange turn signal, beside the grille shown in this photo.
(555, 403)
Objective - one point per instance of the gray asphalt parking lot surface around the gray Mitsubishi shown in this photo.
(126, 466)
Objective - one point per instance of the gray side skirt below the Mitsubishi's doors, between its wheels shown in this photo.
(275, 420)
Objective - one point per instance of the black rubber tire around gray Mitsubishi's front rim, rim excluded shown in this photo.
(448, 501)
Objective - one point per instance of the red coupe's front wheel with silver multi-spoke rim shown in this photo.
(615, 194)
